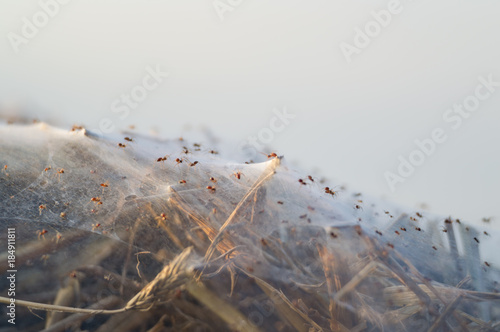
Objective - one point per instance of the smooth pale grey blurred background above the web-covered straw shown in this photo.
(342, 89)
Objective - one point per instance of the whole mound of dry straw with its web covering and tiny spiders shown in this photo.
(183, 239)
